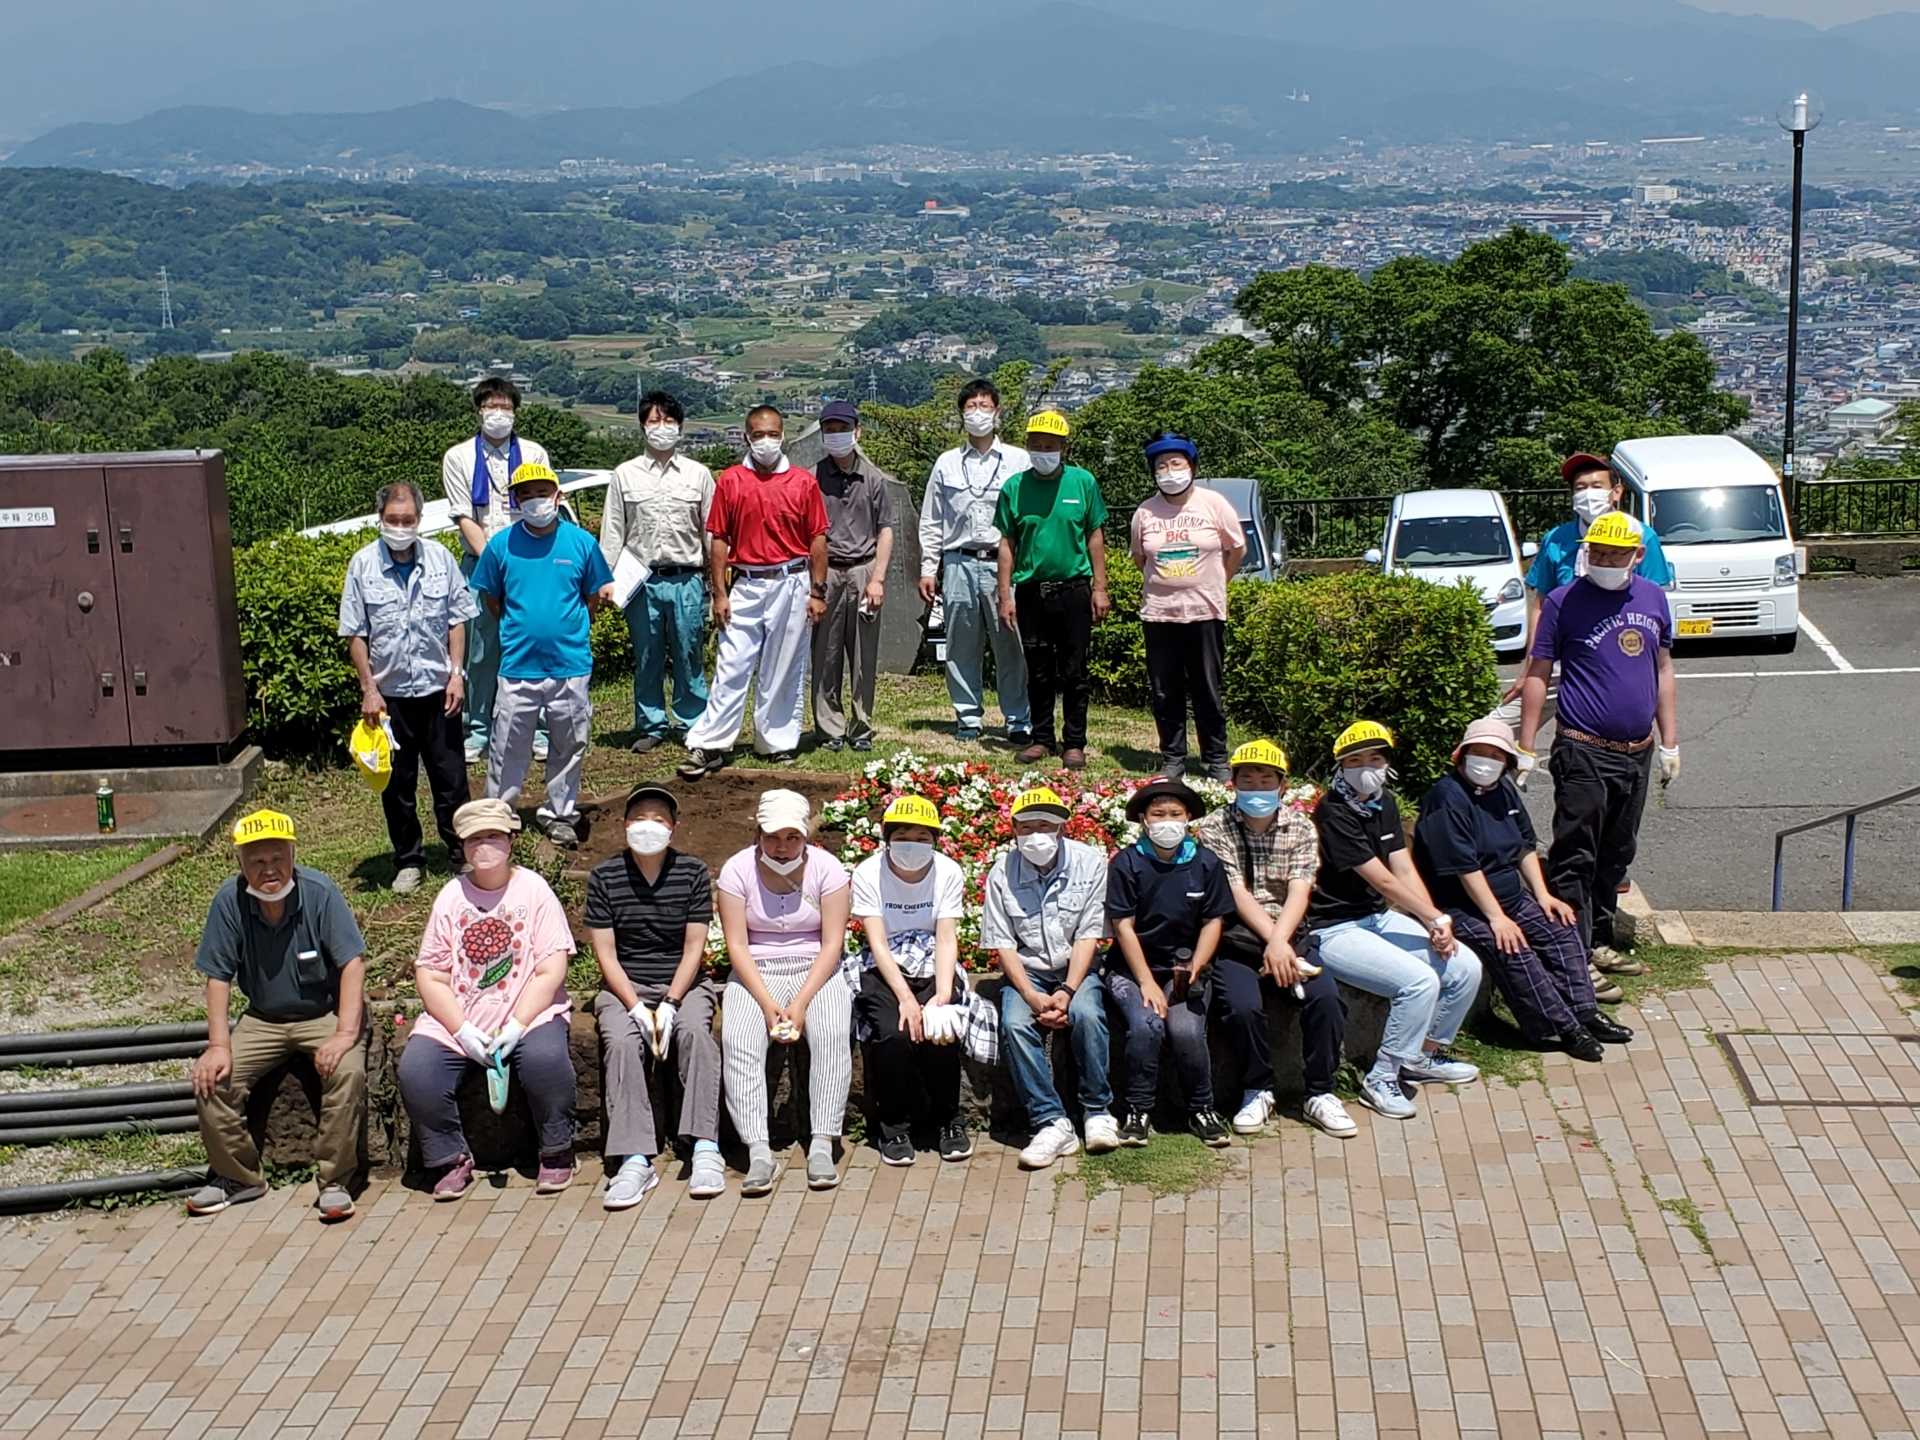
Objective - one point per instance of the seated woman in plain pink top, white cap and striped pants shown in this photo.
(784, 909)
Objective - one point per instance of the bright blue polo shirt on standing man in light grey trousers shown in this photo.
(544, 583)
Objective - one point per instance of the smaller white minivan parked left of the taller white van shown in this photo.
(1462, 535)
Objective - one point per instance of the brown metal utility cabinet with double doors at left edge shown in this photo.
(118, 621)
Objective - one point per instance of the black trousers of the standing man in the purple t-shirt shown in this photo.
(1598, 800)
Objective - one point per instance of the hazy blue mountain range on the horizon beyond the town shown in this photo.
(1115, 76)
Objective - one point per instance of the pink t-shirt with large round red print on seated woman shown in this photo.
(489, 944)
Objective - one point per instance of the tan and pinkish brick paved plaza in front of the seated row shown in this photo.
(1514, 1262)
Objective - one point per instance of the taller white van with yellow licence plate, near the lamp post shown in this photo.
(1723, 523)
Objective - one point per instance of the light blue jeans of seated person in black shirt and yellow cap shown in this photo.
(1428, 997)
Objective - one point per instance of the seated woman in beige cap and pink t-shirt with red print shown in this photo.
(492, 974)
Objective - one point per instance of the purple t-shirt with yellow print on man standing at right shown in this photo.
(1608, 646)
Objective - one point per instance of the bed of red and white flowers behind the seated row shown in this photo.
(976, 823)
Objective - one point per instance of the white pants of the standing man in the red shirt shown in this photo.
(767, 635)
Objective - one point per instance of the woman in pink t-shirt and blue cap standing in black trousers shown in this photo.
(1188, 544)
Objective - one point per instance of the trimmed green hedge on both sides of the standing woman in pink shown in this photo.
(1308, 658)
